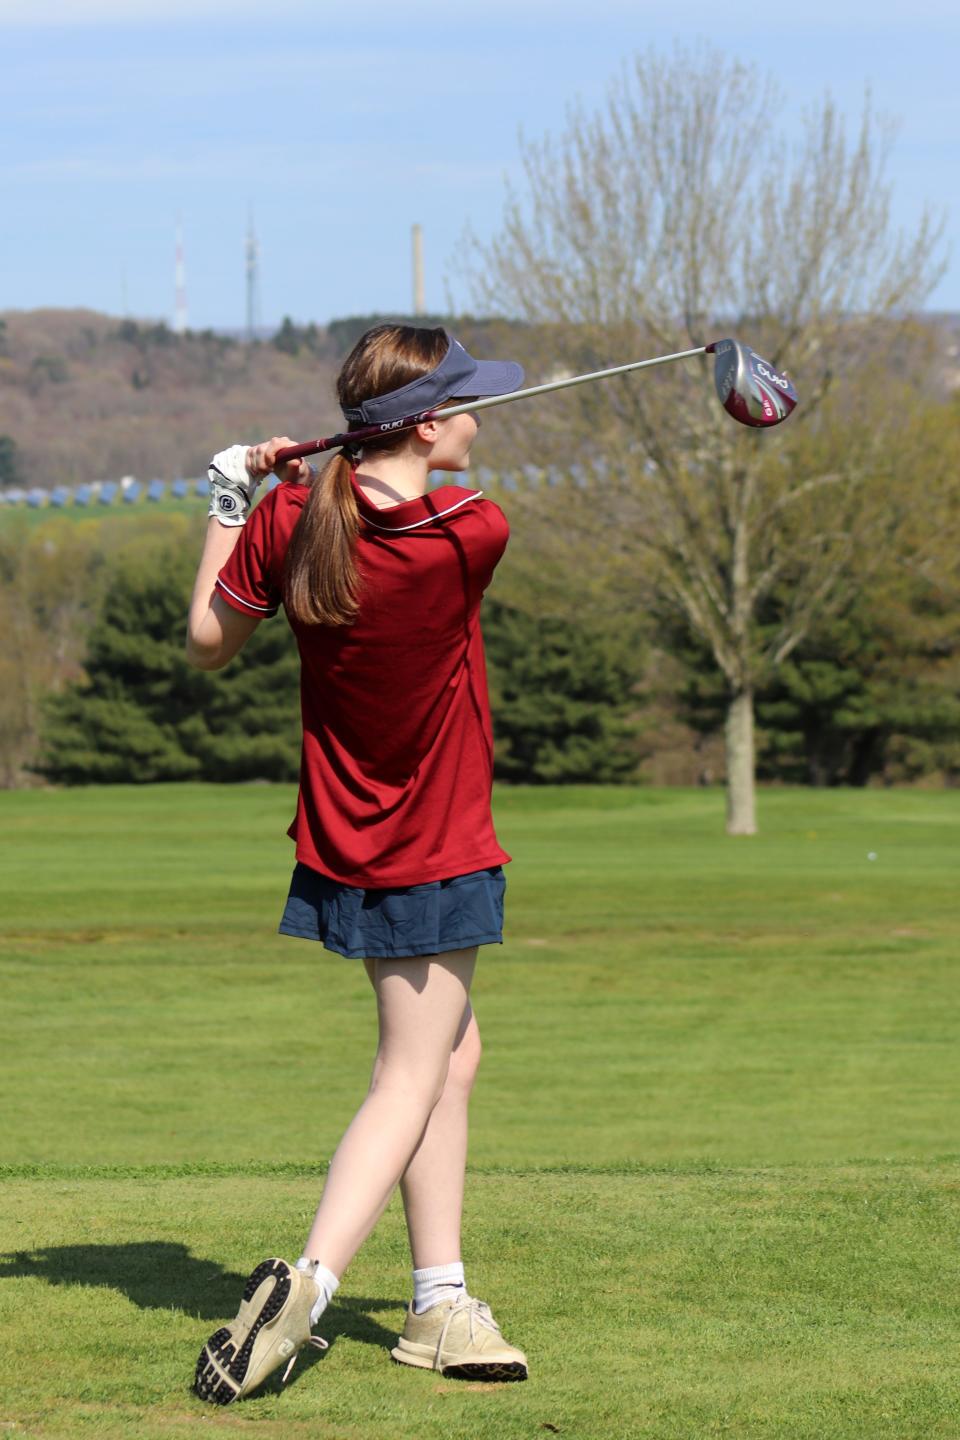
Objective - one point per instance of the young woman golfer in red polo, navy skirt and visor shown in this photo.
(397, 858)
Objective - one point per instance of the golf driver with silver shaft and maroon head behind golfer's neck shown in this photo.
(749, 390)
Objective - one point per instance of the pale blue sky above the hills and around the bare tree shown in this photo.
(343, 125)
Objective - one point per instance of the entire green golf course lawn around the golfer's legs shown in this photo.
(715, 1164)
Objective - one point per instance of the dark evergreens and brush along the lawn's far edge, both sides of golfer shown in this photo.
(585, 683)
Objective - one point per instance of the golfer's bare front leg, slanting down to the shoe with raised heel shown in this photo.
(421, 1006)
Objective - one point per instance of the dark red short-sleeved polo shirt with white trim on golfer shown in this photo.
(398, 755)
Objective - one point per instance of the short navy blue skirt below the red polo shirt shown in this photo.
(445, 915)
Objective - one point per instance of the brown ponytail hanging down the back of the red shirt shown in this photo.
(322, 585)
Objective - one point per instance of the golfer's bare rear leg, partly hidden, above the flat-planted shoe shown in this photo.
(433, 1184)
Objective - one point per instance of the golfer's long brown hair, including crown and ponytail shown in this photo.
(322, 585)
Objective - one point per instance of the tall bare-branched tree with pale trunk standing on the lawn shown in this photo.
(677, 214)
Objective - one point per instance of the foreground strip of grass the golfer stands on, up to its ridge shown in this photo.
(823, 1310)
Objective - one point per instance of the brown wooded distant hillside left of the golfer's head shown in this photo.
(87, 397)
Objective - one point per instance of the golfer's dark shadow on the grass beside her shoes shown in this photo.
(165, 1277)
